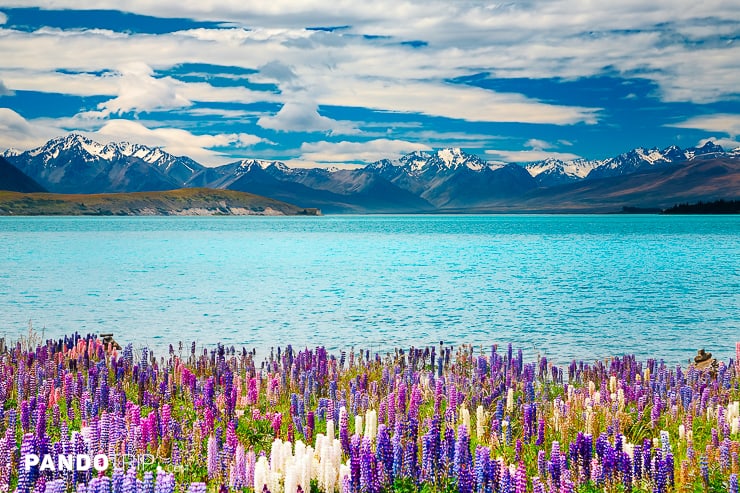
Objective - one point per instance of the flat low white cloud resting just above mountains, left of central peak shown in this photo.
(332, 153)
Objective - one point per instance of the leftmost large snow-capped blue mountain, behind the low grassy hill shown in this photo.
(76, 164)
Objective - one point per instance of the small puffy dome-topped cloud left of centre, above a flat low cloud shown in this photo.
(297, 116)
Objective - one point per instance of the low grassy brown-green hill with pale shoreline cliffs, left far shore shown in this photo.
(183, 202)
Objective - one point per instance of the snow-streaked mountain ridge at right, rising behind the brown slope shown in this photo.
(553, 172)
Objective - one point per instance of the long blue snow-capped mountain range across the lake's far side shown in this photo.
(423, 181)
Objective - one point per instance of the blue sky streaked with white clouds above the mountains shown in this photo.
(346, 82)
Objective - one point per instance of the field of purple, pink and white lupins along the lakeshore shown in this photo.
(435, 419)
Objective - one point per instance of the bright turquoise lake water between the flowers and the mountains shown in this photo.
(584, 287)
